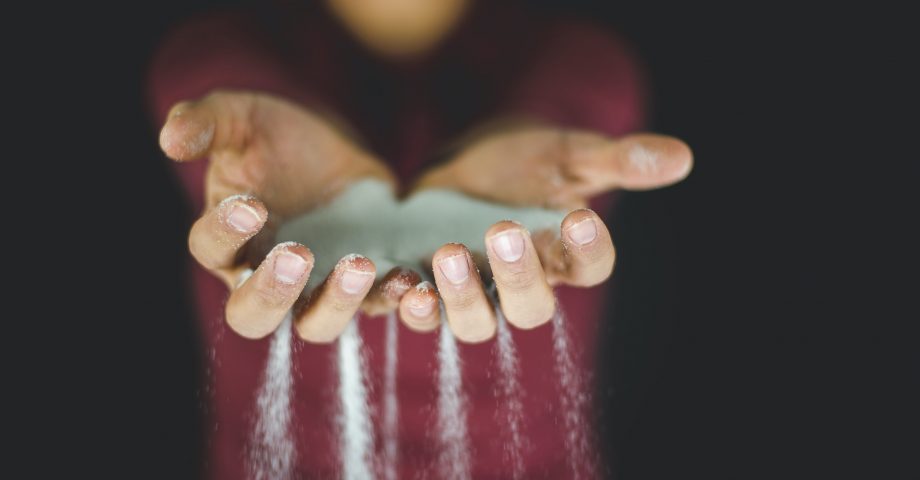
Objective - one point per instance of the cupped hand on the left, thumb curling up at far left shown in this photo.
(270, 159)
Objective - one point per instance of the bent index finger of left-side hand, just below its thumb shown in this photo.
(217, 237)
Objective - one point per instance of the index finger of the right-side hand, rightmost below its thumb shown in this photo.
(583, 256)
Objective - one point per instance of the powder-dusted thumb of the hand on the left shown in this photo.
(220, 120)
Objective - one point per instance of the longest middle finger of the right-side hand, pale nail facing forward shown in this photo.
(526, 299)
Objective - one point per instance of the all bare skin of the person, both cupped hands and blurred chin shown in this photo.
(271, 159)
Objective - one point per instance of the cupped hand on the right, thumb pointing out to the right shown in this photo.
(540, 166)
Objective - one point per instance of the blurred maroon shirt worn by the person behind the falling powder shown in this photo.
(500, 61)
